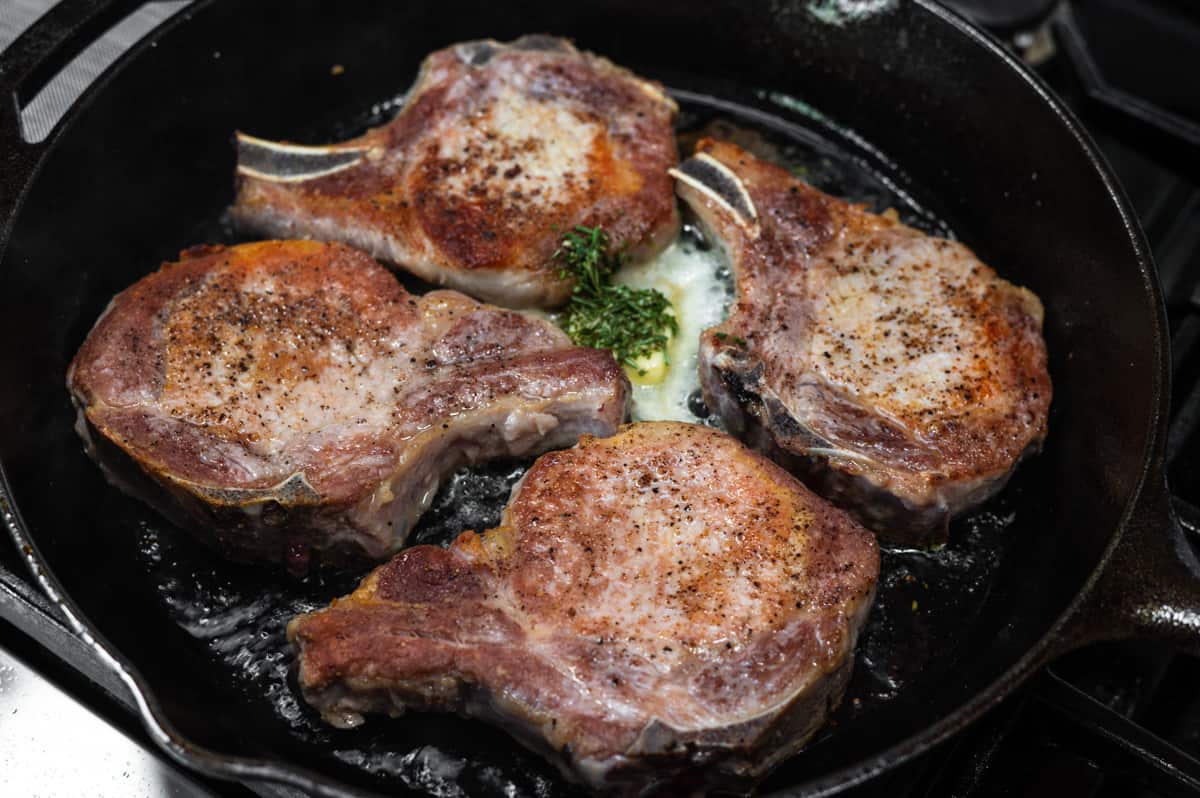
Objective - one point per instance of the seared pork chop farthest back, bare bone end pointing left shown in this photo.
(499, 149)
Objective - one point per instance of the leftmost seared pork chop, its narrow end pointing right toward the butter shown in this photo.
(295, 400)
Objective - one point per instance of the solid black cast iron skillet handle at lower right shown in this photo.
(1149, 587)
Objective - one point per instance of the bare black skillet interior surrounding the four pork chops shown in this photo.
(145, 170)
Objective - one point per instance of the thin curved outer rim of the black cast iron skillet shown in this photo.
(243, 769)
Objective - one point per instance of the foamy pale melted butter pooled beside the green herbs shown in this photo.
(698, 284)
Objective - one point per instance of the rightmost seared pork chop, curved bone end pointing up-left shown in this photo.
(893, 371)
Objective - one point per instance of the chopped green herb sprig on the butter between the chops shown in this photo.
(634, 323)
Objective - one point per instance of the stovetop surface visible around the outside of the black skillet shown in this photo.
(1112, 721)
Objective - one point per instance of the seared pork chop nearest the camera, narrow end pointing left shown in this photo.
(659, 608)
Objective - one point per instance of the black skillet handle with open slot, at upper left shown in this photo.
(26, 67)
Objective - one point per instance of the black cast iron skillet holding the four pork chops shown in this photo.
(1093, 550)
